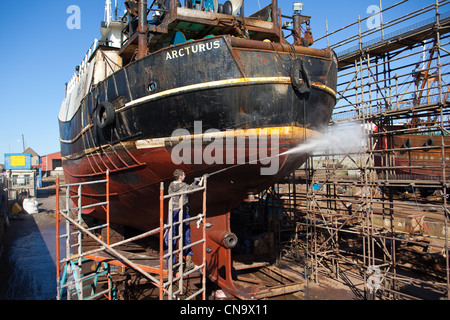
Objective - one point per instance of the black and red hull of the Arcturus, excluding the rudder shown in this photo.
(169, 94)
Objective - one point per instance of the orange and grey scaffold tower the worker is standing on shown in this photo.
(87, 274)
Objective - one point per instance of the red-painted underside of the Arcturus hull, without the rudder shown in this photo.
(134, 190)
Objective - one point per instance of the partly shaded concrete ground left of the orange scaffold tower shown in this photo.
(27, 263)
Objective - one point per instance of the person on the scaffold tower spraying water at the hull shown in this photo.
(178, 202)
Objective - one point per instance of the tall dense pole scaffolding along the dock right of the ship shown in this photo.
(375, 214)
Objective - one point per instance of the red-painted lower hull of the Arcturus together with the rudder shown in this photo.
(135, 195)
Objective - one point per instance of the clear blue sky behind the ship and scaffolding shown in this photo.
(40, 53)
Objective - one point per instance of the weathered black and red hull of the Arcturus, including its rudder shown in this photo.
(230, 110)
